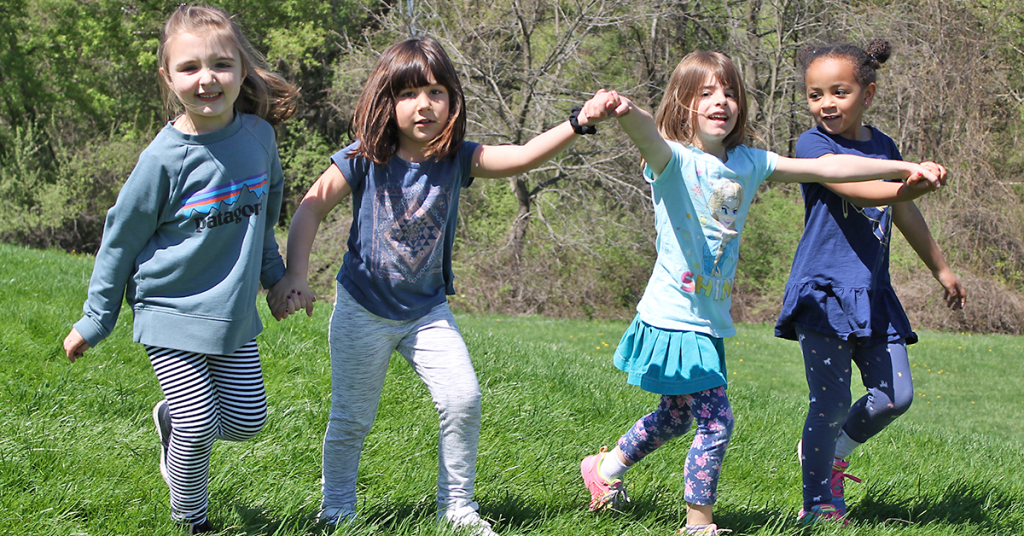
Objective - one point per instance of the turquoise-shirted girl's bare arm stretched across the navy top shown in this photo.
(848, 169)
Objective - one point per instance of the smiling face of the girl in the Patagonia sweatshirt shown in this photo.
(205, 73)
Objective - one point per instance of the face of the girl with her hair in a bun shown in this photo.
(836, 100)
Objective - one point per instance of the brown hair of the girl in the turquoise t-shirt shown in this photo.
(676, 117)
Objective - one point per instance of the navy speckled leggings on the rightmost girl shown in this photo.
(885, 370)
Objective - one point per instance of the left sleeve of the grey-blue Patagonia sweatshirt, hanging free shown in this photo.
(131, 225)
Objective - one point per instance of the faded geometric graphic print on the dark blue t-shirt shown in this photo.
(409, 228)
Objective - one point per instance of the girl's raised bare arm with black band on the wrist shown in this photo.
(503, 161)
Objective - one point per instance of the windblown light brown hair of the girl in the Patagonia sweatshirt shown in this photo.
(265, 94)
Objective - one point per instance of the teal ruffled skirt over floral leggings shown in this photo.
(669, 362)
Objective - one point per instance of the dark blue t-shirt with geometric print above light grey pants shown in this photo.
(399, 265)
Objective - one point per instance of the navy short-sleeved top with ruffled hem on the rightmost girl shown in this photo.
(839, 283)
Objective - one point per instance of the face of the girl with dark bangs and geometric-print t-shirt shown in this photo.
(421, 114)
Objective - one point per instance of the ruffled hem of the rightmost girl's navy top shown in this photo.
(844, 312)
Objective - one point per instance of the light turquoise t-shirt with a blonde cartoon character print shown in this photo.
(701, 208)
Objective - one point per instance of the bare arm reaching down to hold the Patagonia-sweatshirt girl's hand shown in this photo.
(292, 293)
